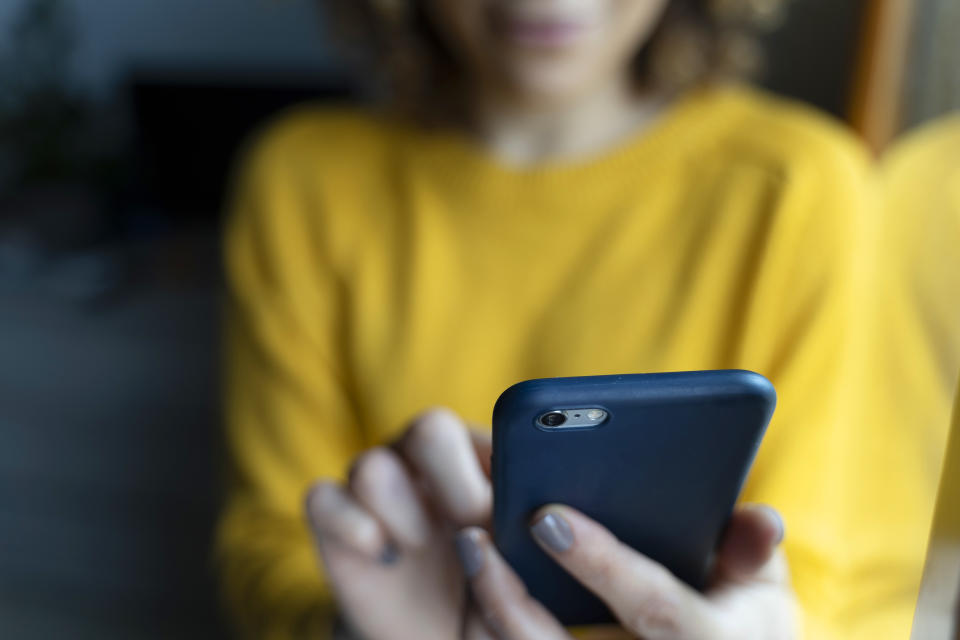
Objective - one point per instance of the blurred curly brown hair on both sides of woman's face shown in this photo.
(409, 64)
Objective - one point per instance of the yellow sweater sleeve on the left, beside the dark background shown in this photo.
(288, 415)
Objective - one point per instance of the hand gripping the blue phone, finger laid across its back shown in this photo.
(750, 596)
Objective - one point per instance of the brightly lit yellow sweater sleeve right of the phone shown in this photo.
(841, 461)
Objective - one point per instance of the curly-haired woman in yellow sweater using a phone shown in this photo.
(561, 188)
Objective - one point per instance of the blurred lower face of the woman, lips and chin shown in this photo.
(546, 51)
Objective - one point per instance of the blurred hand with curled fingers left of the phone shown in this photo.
(385, 536)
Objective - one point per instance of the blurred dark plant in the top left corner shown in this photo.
(42, 120)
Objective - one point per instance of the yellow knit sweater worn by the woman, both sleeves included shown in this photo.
(376, 270)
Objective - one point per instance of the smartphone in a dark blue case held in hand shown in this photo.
(659, 459)
